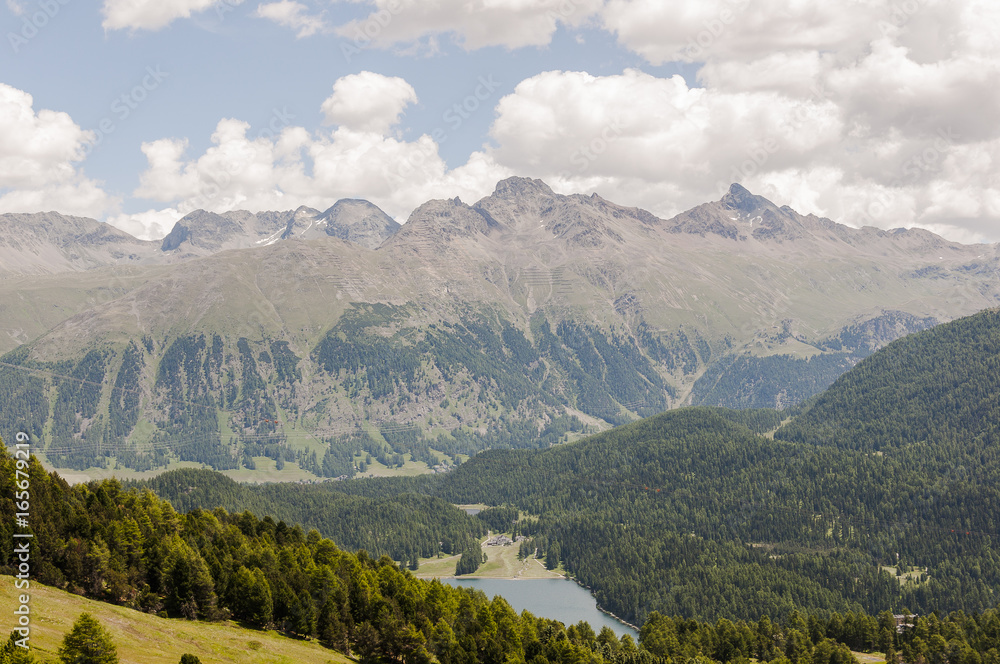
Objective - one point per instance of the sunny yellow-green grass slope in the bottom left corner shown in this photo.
(145, 639)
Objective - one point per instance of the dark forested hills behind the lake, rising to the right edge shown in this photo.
(883, 494)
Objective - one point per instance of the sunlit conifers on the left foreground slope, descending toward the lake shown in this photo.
(359, 604)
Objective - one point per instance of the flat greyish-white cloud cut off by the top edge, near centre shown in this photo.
(475, 23)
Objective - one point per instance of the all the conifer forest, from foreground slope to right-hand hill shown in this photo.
(728, 535)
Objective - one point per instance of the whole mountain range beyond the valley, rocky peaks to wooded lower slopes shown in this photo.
(516, 321)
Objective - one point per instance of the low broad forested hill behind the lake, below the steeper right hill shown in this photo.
(657, 515)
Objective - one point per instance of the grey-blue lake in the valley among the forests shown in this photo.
(559, 599)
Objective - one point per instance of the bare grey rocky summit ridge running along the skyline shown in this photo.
(577, 217)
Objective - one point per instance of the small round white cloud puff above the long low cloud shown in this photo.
(368, 102)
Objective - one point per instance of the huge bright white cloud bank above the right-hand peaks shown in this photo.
(660, 144)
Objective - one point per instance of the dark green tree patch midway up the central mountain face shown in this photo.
(372, 352)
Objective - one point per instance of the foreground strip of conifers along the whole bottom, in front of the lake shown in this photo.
(133, 549)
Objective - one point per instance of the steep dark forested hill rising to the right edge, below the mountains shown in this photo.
(937, 387)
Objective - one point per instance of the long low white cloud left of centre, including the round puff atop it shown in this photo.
(257, 171)
